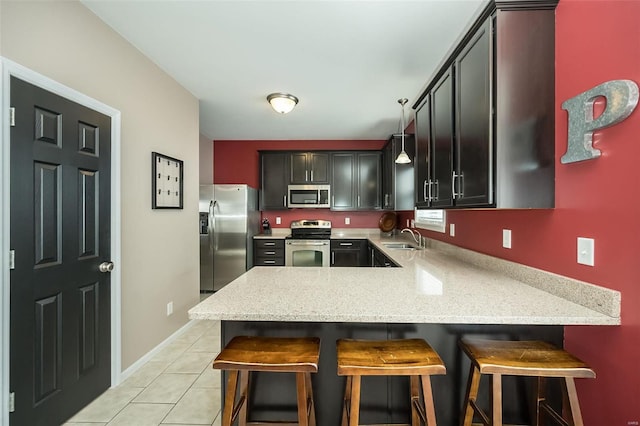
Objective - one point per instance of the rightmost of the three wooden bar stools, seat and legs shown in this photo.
(522, 358)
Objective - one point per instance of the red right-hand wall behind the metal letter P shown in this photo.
(596, 41)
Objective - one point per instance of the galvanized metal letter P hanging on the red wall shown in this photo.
(621, 99)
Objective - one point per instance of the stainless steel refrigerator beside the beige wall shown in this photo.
(229, 218)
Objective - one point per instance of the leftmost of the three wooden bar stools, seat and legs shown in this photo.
(244, 355)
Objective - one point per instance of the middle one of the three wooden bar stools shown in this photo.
(404, 357)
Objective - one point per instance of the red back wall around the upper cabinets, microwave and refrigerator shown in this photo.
(247, 171)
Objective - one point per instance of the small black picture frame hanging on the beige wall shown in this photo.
(167, 184)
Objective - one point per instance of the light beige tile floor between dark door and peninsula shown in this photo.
(176, 387)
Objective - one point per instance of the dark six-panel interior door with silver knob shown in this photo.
(60, 354)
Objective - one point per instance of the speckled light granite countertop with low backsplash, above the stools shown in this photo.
(437, 284)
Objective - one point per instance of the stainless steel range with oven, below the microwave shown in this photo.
(308, 244)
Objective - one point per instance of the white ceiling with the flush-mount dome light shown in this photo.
(347, 61)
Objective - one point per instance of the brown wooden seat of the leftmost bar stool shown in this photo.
(270, 354)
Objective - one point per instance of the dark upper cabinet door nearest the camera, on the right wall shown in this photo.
(474, 169)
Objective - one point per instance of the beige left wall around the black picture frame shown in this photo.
(65, 42)
